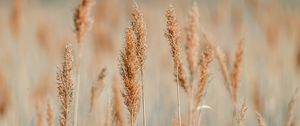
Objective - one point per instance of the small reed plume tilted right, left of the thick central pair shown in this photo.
(97, 88)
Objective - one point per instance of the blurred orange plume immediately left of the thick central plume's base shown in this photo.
(118, 113)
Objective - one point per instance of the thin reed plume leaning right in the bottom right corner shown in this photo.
(292, 109)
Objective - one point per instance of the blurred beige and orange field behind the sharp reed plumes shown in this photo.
(33, 34)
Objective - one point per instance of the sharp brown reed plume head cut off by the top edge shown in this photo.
(82, 20)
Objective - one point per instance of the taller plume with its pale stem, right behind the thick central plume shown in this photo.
(138, 26)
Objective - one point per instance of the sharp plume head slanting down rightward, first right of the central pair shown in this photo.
(172, 34)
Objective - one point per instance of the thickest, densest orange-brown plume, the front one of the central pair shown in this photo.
(129, 71)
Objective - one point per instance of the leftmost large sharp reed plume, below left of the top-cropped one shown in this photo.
(65, 86)
